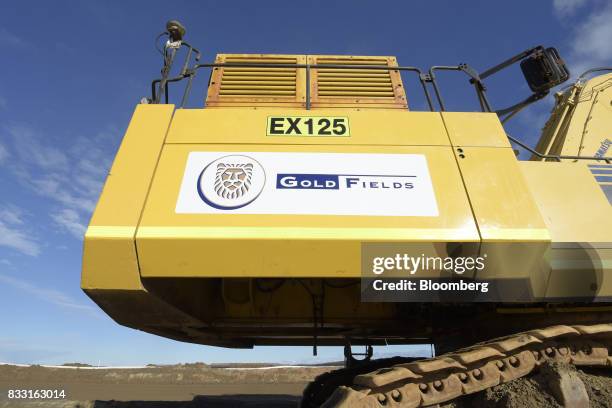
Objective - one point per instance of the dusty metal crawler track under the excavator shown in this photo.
(467, 371)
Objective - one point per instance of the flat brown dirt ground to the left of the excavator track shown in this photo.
(182, 386)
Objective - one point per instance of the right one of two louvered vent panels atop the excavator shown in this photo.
(335, 87)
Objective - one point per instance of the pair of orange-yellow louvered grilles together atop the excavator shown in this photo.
(329, 87)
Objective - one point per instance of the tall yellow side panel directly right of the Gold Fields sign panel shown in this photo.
(514, 235)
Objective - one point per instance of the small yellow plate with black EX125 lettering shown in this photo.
(323, 126)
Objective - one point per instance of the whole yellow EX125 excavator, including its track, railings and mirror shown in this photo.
(307, 204)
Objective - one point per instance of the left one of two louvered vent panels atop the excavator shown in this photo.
(257, 86)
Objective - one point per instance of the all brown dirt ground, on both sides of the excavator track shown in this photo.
(199, 385)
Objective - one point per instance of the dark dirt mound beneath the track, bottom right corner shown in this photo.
(539, 391)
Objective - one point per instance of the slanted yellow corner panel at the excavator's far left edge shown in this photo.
(109, 258)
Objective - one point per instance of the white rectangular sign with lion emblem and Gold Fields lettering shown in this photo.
(307, 183)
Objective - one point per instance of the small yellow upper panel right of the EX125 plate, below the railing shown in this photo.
(475, 129)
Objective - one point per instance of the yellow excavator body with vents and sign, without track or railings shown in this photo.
(325, 192)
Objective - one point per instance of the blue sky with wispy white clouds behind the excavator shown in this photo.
(72, 72)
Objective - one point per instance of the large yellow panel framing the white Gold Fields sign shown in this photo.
(171, 244)
